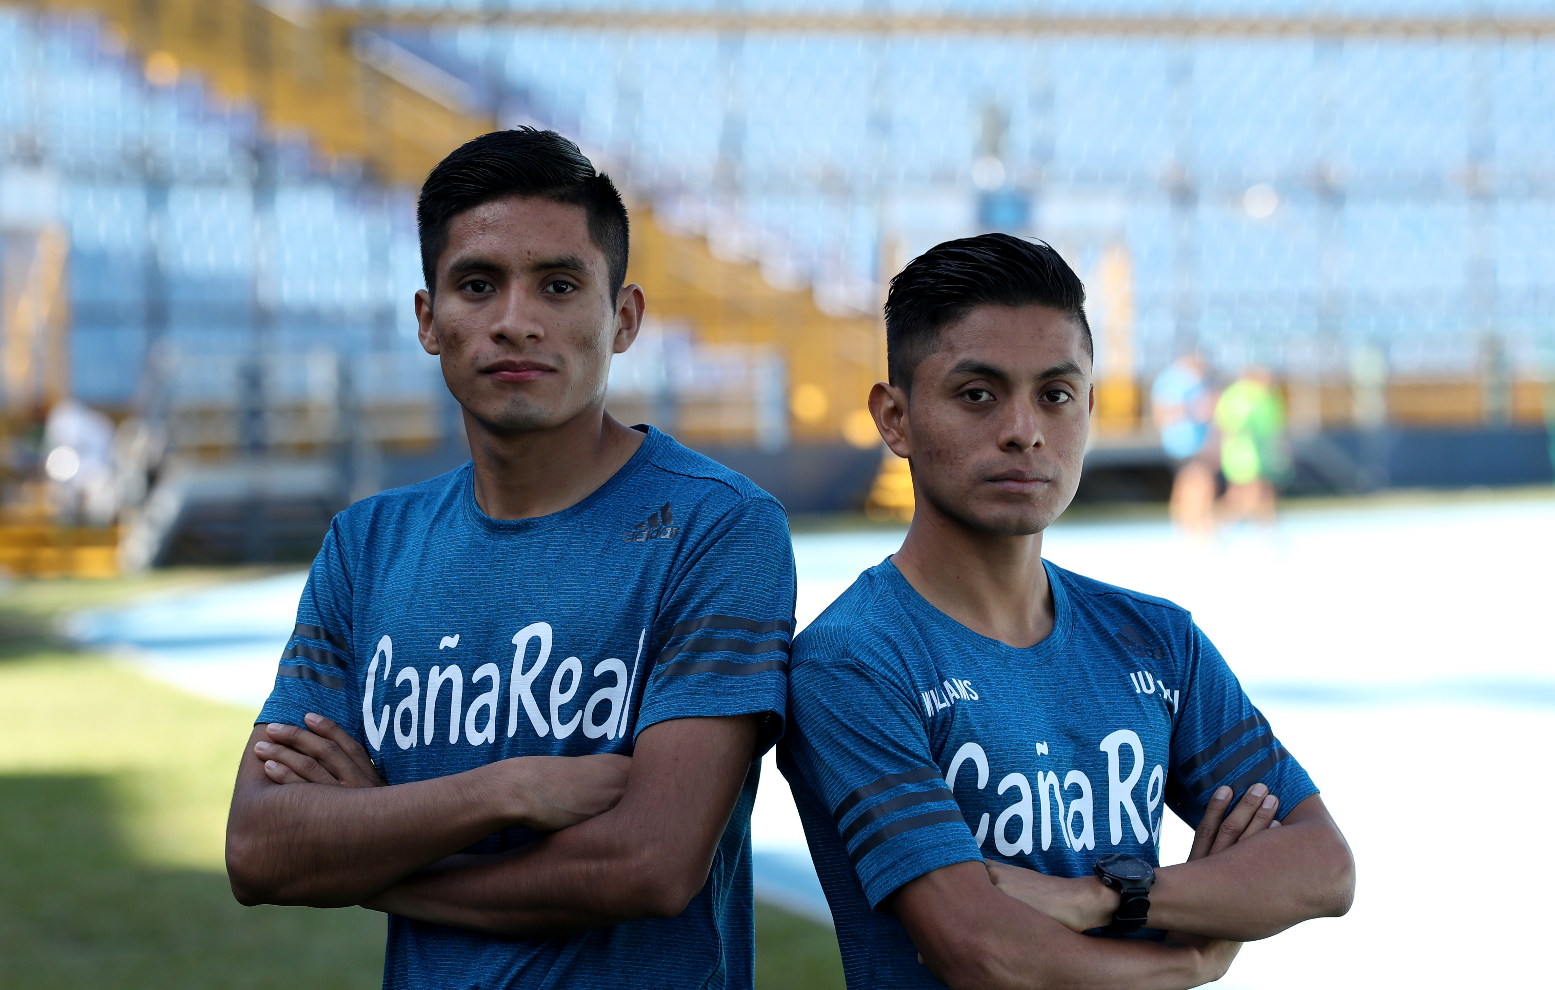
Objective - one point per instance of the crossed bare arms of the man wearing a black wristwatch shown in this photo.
(1248, 877)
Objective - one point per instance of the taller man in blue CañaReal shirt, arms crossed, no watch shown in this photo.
(478, 657)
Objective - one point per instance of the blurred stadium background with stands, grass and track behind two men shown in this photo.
(1316, 240)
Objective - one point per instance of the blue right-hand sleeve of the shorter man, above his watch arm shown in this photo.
(1221, 739)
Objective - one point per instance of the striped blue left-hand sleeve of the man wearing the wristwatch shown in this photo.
(861, 747)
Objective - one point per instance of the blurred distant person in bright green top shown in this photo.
(1254, 458)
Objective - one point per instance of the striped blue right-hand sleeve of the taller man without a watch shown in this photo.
(725, 626)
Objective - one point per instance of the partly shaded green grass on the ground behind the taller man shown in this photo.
(114, 800)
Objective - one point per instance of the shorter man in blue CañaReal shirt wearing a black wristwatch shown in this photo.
(982, 745)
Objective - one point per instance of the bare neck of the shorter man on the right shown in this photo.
(993, 585)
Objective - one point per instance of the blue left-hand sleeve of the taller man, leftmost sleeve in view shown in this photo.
(316, 668)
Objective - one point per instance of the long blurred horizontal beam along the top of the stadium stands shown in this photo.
(937, 24)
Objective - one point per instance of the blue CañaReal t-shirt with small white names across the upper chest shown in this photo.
(917, 744)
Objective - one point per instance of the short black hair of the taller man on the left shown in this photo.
(522, 162)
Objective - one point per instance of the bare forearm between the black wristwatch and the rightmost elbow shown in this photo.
(1263, 885)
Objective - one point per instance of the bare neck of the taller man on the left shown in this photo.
(537, 473)
